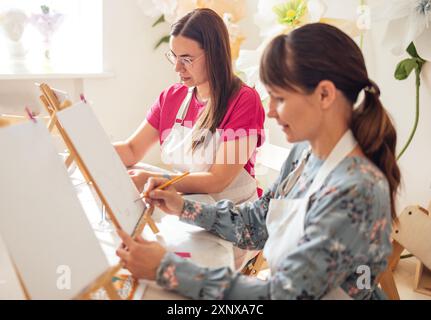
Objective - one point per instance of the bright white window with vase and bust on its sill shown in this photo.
(75, 46)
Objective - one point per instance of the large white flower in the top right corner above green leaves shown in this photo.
(408, 21)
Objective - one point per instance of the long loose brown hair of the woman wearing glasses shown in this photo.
(207, 28)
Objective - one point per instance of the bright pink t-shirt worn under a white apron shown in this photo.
(245, 115)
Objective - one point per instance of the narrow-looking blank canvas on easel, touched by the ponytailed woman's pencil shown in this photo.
(103, 163)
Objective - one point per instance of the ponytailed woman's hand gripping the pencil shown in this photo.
(167, 199)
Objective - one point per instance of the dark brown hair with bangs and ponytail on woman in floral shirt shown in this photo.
(316, 52)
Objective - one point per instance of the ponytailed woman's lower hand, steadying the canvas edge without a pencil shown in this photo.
(141, 257)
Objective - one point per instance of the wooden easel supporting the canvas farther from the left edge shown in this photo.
(53, 105)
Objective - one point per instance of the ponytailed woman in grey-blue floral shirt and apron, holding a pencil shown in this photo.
(314, 76)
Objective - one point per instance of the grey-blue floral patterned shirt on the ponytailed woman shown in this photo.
(346, 238)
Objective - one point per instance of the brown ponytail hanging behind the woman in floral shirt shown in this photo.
(377, 137)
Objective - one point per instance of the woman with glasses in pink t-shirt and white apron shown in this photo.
(210, 124)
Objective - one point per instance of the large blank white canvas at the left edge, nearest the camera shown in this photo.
(42, 221)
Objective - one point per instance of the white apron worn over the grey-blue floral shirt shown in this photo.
(285, 219)
